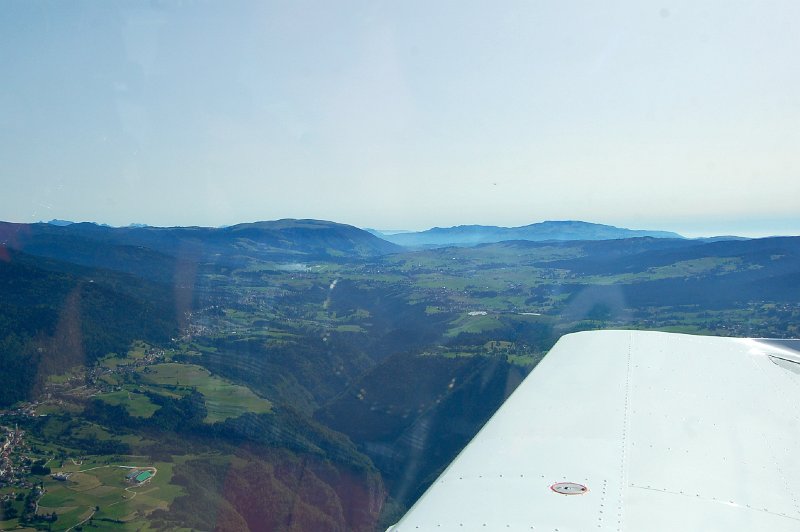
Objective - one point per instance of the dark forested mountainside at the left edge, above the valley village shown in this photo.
(56, 315)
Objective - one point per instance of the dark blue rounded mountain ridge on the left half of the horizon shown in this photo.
(144, 250)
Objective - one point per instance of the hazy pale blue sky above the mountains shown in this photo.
(666, 115)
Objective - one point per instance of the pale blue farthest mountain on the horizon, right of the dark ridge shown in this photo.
(470, 235)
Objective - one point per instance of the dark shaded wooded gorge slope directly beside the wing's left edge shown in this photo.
(412, 414)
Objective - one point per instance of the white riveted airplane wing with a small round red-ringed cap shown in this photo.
(632, 430)
